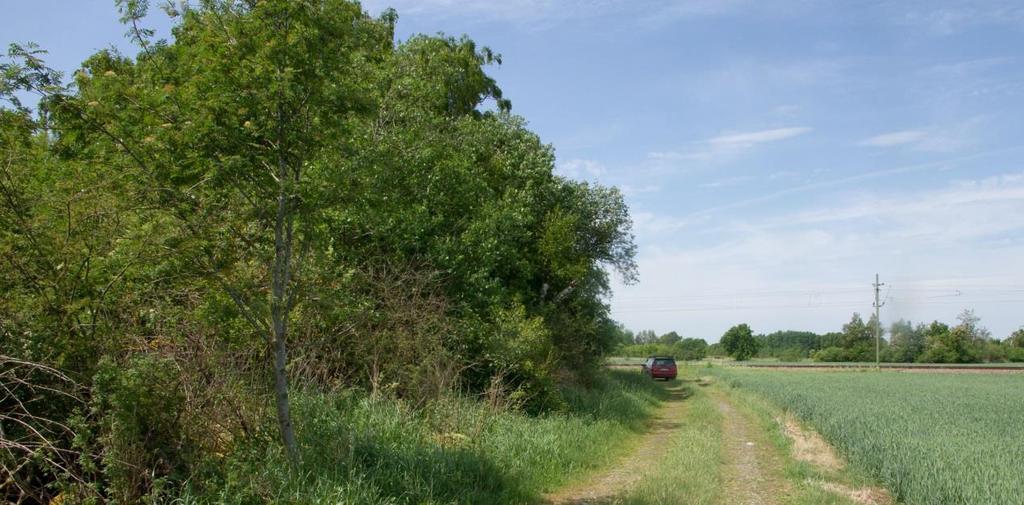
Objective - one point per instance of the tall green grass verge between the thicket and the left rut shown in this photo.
(361, 450)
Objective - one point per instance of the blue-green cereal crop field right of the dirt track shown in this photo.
(930, 438)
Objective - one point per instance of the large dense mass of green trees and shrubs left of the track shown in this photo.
(283, 192)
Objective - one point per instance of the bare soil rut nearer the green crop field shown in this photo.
(749, 480)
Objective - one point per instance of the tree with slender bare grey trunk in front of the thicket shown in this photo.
(236, 144)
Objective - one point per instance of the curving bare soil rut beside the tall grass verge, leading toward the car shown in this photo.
(605, 487)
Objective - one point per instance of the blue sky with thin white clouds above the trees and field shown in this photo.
(776, 155)
